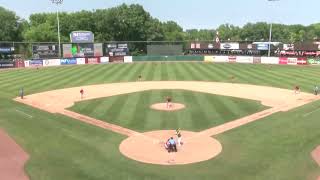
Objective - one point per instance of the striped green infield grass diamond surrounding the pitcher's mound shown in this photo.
(202, 110)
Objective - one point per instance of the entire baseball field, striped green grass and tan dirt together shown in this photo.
(261, 128)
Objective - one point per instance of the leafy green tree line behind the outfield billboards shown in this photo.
(133, 23)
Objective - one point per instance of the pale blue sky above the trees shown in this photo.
(191, 14)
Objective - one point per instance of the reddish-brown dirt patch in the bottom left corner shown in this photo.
(12, 159)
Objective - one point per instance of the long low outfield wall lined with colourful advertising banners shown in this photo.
(130, 59)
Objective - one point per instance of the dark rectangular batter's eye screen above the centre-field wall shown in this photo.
(165, 50)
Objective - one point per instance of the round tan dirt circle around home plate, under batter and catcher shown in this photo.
(149, 148)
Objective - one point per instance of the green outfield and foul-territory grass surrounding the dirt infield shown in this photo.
(277, 147)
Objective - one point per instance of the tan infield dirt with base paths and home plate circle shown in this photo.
(149, 147)
